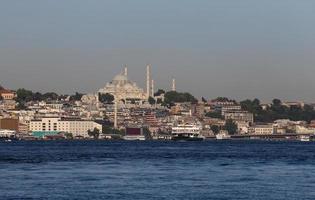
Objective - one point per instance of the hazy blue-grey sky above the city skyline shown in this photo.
(235, 48)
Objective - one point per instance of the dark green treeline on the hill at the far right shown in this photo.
(277, 110)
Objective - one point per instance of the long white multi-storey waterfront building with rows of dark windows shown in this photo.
(75, 126)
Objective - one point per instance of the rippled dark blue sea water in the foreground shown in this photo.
(157, 170)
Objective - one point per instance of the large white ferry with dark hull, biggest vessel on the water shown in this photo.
(187, 132)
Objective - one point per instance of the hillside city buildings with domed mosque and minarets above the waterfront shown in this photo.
(131, 110)
